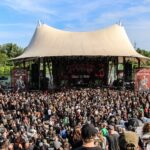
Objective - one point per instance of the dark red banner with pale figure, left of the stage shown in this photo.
(19, 79)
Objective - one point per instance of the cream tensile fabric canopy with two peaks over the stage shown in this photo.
(48, 42)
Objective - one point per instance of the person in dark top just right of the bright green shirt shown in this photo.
(112, 138)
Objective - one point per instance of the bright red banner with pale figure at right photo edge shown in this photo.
(142, 79)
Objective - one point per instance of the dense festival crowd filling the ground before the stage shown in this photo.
(70, 118)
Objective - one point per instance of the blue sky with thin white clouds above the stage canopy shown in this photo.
(19, 18)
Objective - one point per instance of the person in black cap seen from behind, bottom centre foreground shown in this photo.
(88, 133)
